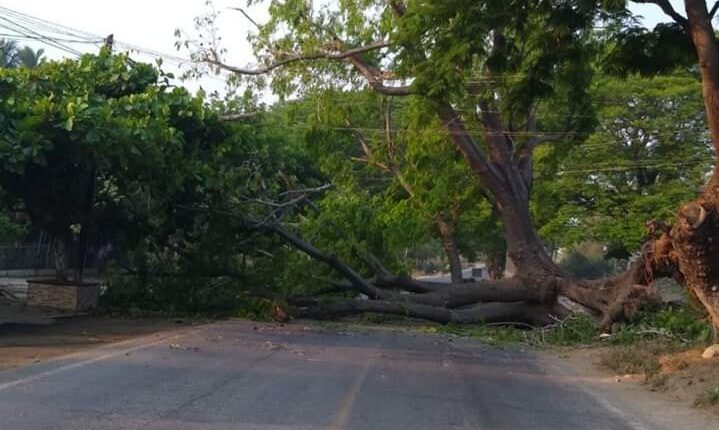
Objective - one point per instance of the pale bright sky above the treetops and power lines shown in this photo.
(151, 24)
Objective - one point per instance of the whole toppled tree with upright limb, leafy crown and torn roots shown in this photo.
(499, 152)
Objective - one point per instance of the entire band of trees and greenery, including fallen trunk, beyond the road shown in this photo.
(576, 162)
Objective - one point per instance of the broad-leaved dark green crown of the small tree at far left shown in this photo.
(65, 125)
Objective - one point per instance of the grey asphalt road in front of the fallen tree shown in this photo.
(236, 375)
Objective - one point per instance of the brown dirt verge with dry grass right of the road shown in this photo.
(668, 373)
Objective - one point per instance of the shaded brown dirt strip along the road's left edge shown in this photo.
(26, 344)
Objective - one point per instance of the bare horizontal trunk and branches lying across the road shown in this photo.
(509, 300)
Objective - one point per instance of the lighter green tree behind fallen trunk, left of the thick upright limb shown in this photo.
(384, 155)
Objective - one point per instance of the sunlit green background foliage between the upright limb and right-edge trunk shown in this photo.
(649, 154)
